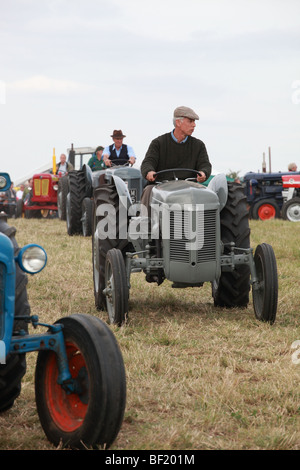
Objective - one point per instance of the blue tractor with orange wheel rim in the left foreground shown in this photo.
(80, 383)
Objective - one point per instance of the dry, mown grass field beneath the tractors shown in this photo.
(198, 377)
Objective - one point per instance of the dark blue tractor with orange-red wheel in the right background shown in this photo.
(264, 193)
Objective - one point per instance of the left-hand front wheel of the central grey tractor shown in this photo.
(116, 287)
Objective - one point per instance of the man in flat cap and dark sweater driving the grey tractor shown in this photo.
(177, 149)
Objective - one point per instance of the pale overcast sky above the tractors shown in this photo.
(73, 71)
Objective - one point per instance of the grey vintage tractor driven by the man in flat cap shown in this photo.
(193, 234)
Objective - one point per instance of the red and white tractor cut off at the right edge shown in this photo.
(291, 197)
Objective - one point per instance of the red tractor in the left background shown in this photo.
(42, 199)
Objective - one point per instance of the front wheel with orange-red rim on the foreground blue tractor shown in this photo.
(93, 416)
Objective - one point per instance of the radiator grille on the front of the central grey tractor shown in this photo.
(204, 223)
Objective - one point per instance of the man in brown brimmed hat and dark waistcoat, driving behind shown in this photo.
(118, 153)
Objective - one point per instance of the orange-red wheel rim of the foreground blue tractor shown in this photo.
(67, 410)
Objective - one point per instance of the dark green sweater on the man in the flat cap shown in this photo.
(164, 153)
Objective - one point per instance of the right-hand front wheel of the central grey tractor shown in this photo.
(265, 290)
